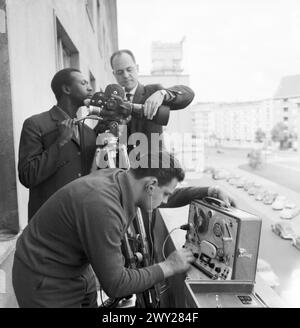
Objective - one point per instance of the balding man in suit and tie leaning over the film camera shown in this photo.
(152, 96)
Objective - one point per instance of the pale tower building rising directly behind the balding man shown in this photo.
(167, 70)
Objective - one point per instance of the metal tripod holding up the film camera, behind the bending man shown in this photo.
(115, 155)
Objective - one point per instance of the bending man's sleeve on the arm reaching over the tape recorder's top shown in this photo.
(183, 196)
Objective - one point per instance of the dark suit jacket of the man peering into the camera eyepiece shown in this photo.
(43, 166)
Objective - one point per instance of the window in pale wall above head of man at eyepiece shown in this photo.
(66, 53)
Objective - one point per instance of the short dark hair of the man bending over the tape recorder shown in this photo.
(162, 165)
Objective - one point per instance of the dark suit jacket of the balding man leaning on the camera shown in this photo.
(184, 96)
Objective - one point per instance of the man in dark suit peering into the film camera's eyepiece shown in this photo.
(51, 153)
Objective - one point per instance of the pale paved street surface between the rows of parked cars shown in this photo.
(279, 253)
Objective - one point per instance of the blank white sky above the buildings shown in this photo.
(234, 50)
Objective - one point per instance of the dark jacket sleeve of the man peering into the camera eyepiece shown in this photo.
(36, 164)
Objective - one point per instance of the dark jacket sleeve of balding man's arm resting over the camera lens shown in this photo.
(183, 97)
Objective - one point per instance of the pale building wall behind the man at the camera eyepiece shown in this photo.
(32, 45)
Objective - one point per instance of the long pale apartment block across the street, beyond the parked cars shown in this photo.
(233, 124)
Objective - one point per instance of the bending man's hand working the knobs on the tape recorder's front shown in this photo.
(177, 262)
